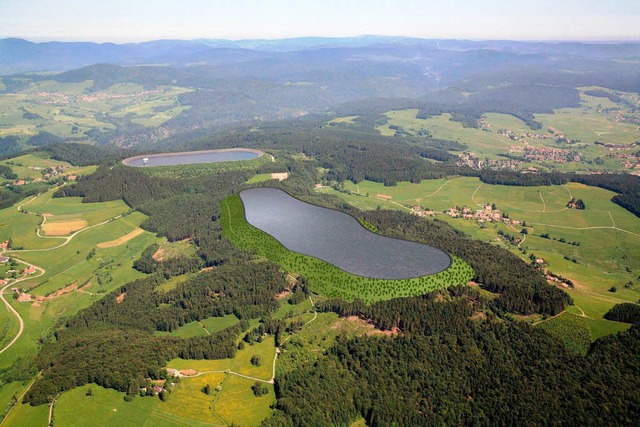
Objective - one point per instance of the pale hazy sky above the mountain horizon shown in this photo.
(140, 20)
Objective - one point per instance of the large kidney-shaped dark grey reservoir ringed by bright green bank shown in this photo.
(338, 238)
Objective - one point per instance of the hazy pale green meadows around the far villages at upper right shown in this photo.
(586, 124)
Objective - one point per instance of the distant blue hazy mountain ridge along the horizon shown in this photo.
(19, 56)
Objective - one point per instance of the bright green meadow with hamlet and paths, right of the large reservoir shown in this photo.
(606, 256)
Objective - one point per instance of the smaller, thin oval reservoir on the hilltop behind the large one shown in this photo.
(192, 157)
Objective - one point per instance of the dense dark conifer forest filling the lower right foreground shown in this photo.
(457, 363)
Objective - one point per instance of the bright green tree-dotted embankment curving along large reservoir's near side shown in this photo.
(325, 278)
